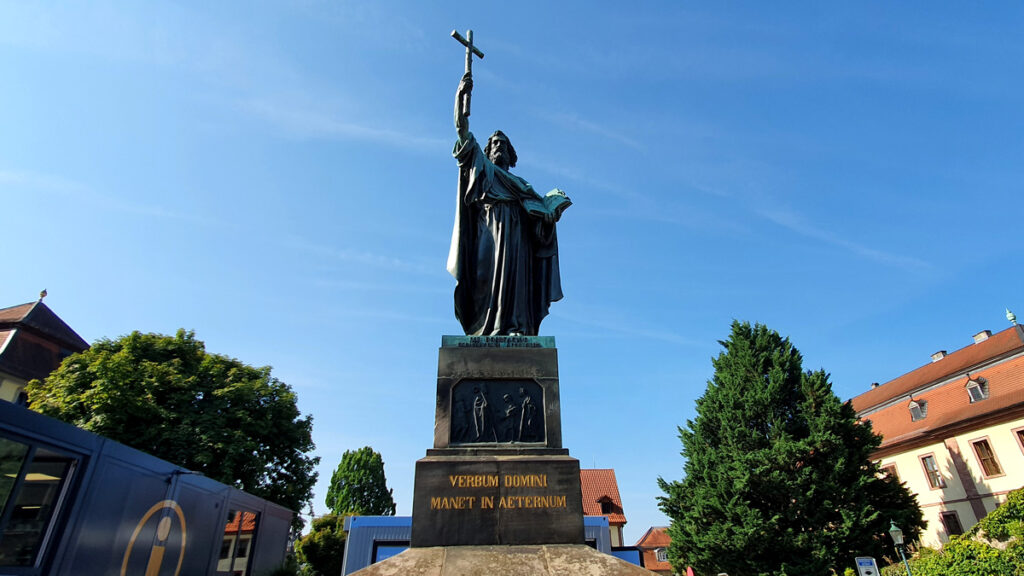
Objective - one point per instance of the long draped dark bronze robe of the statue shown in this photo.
(504, 261)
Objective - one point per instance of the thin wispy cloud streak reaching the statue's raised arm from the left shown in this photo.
(304, 124)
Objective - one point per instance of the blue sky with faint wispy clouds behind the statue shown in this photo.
(278, 178)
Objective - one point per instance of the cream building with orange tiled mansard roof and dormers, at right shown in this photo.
(954, 431)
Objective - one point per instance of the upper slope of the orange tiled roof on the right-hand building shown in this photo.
(997, 346)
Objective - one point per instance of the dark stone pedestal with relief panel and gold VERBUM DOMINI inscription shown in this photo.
(498, 473)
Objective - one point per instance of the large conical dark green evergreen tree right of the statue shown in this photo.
(779, 476)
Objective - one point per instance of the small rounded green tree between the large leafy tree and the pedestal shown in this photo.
(359, 486)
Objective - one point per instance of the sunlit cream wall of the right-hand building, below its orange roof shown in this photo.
(954, 497)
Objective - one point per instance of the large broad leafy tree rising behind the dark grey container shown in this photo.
(206, 413)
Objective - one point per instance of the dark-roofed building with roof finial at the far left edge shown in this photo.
(33, 343)
